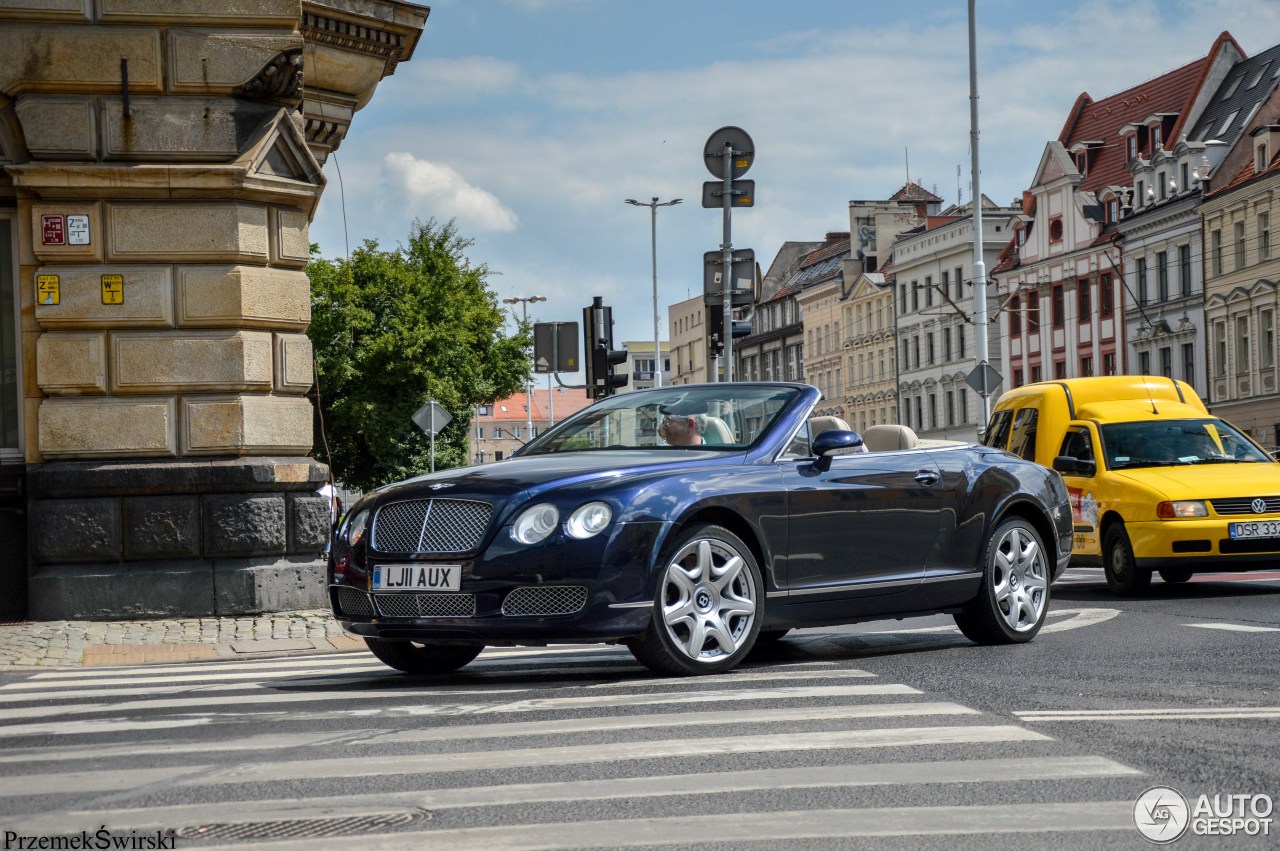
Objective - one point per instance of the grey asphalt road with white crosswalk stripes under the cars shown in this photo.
(898, 735)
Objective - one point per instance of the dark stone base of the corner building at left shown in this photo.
(176, 538)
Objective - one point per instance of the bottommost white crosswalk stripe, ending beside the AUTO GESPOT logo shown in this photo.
(753, 827)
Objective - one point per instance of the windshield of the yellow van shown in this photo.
(1167, 443)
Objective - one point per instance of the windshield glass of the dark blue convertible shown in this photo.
(725, 417)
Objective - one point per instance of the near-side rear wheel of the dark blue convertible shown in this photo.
(1013, 601)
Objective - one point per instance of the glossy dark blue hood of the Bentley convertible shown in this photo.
(531, 472)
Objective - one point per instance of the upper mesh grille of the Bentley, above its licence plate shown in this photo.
(432, 527)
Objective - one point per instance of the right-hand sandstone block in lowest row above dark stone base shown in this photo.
(246, 425)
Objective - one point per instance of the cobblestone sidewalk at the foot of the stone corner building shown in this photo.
(117, 643)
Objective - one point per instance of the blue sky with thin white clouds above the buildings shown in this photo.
(531, 122)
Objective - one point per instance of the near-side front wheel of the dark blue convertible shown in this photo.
(708, 606)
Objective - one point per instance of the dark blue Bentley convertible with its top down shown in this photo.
(693, 523)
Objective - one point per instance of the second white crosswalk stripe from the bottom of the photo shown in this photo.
(980, 771)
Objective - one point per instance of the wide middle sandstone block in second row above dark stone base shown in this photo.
(184, 362)
